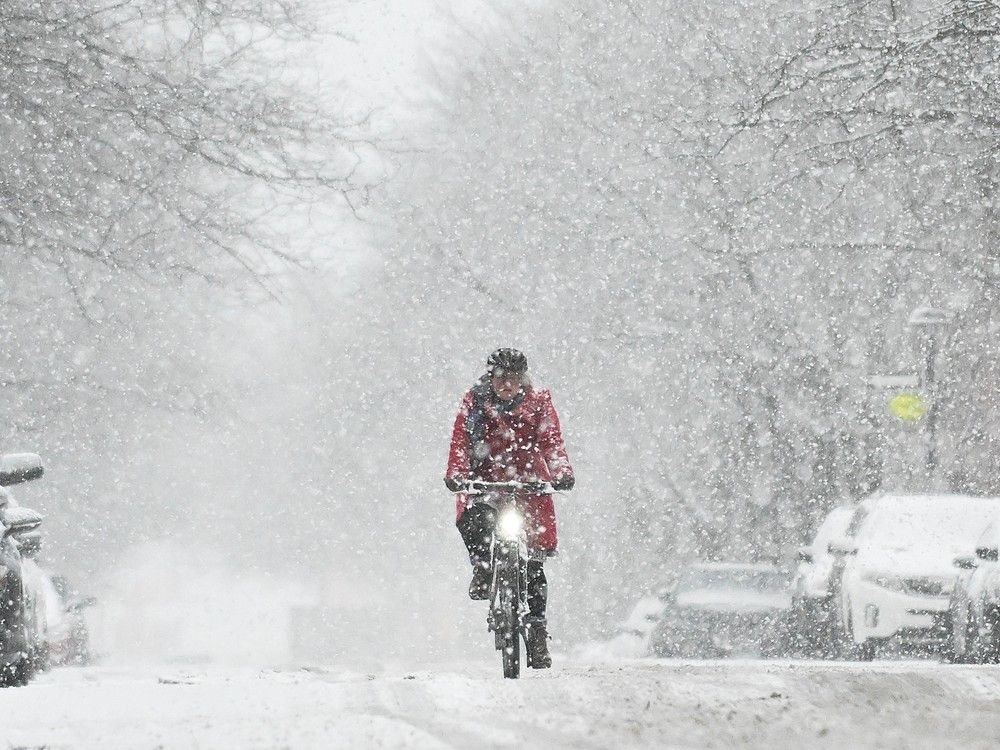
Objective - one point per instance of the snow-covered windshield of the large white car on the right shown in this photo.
(924, 522)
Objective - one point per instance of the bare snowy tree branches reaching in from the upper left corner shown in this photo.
(159, 138)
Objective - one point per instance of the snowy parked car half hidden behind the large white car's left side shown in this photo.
(814, 619)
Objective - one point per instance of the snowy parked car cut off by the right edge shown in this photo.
(975, 601)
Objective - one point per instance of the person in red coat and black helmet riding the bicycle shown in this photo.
(508, 431)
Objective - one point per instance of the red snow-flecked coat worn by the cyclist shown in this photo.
(523, 444)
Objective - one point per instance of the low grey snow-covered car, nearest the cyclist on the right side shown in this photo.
(718, 609)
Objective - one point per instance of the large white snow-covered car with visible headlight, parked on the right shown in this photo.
(900, 573)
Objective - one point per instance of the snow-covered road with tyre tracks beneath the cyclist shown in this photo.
(579, 705)
